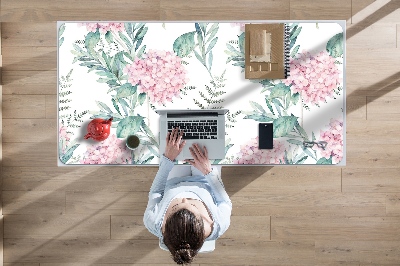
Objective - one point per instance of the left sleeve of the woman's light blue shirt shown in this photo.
(156, 194)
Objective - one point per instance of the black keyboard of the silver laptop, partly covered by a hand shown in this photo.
(195, 129)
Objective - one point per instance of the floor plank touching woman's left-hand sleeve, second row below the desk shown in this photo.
(107, 203)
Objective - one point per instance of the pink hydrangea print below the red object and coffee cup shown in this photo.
(110, 151)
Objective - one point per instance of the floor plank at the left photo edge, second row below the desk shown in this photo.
(33, 202)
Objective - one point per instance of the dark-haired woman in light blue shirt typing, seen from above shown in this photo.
(186, 210)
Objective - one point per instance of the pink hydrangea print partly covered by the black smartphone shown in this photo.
(250, 154)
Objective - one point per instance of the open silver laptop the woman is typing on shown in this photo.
(206, 127)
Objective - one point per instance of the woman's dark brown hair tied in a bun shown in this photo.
(184, 235)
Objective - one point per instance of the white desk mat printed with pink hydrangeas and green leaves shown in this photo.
(126, 70)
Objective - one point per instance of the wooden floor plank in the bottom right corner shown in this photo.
(364, 252)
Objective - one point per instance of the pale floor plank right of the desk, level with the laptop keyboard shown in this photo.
(373, 131)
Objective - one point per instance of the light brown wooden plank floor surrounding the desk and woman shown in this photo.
(281, 215)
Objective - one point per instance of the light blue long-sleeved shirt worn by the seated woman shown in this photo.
(209, 188)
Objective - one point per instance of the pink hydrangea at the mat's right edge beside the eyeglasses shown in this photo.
(334, 137)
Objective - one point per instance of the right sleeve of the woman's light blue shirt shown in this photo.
(222, 199)
